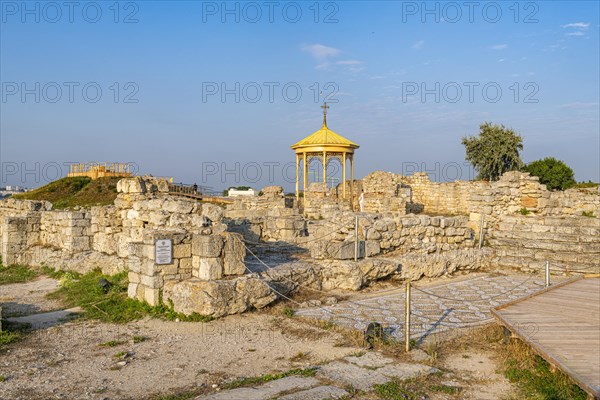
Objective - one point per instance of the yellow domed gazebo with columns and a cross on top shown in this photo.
(325, 145)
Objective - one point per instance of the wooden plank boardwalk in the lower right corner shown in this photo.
(562, 324)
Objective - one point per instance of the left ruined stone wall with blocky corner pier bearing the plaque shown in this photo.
(121, 237)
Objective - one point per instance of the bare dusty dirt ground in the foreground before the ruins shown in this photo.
(152, 357)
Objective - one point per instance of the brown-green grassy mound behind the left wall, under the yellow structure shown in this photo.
(72, 192)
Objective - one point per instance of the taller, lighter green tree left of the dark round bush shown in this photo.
(494, 151)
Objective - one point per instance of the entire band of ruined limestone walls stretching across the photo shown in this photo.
(410, 228)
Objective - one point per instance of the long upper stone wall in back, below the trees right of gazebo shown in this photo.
(513, 192)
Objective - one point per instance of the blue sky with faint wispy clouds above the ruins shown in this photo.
(405, 80)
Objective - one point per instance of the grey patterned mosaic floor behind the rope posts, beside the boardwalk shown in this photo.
(434, 309)
